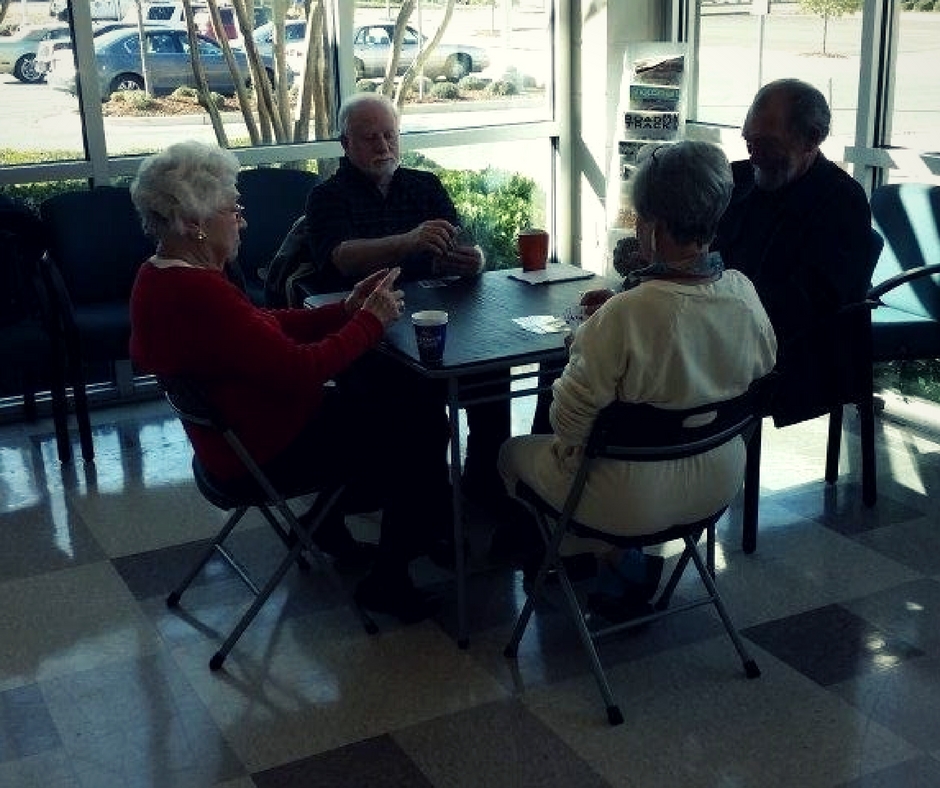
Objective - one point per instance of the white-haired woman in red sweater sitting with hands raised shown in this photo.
(266, 370)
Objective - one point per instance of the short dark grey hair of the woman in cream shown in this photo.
(686, 186)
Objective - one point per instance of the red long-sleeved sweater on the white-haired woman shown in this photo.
(263, 369)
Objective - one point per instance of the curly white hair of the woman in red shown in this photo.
(187, 182)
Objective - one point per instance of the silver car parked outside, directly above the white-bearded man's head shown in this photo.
(371, 45)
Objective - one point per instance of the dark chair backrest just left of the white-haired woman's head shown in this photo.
(97, 243)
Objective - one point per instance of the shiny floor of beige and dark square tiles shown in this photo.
(101, 685)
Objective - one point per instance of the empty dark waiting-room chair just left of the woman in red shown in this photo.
(95, 246)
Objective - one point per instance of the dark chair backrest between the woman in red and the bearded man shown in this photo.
(273, 198)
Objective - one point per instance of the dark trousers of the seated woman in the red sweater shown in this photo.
(388, 448)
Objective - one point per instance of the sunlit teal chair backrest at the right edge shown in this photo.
(908, 216)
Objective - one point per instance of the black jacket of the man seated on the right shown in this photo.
(806, 248)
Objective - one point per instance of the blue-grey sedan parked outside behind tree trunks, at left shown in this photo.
(120, 68)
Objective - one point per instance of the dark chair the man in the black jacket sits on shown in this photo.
(839, 353)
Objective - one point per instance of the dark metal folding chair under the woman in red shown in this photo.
(297, 537)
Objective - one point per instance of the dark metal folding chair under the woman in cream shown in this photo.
(642, 433)
